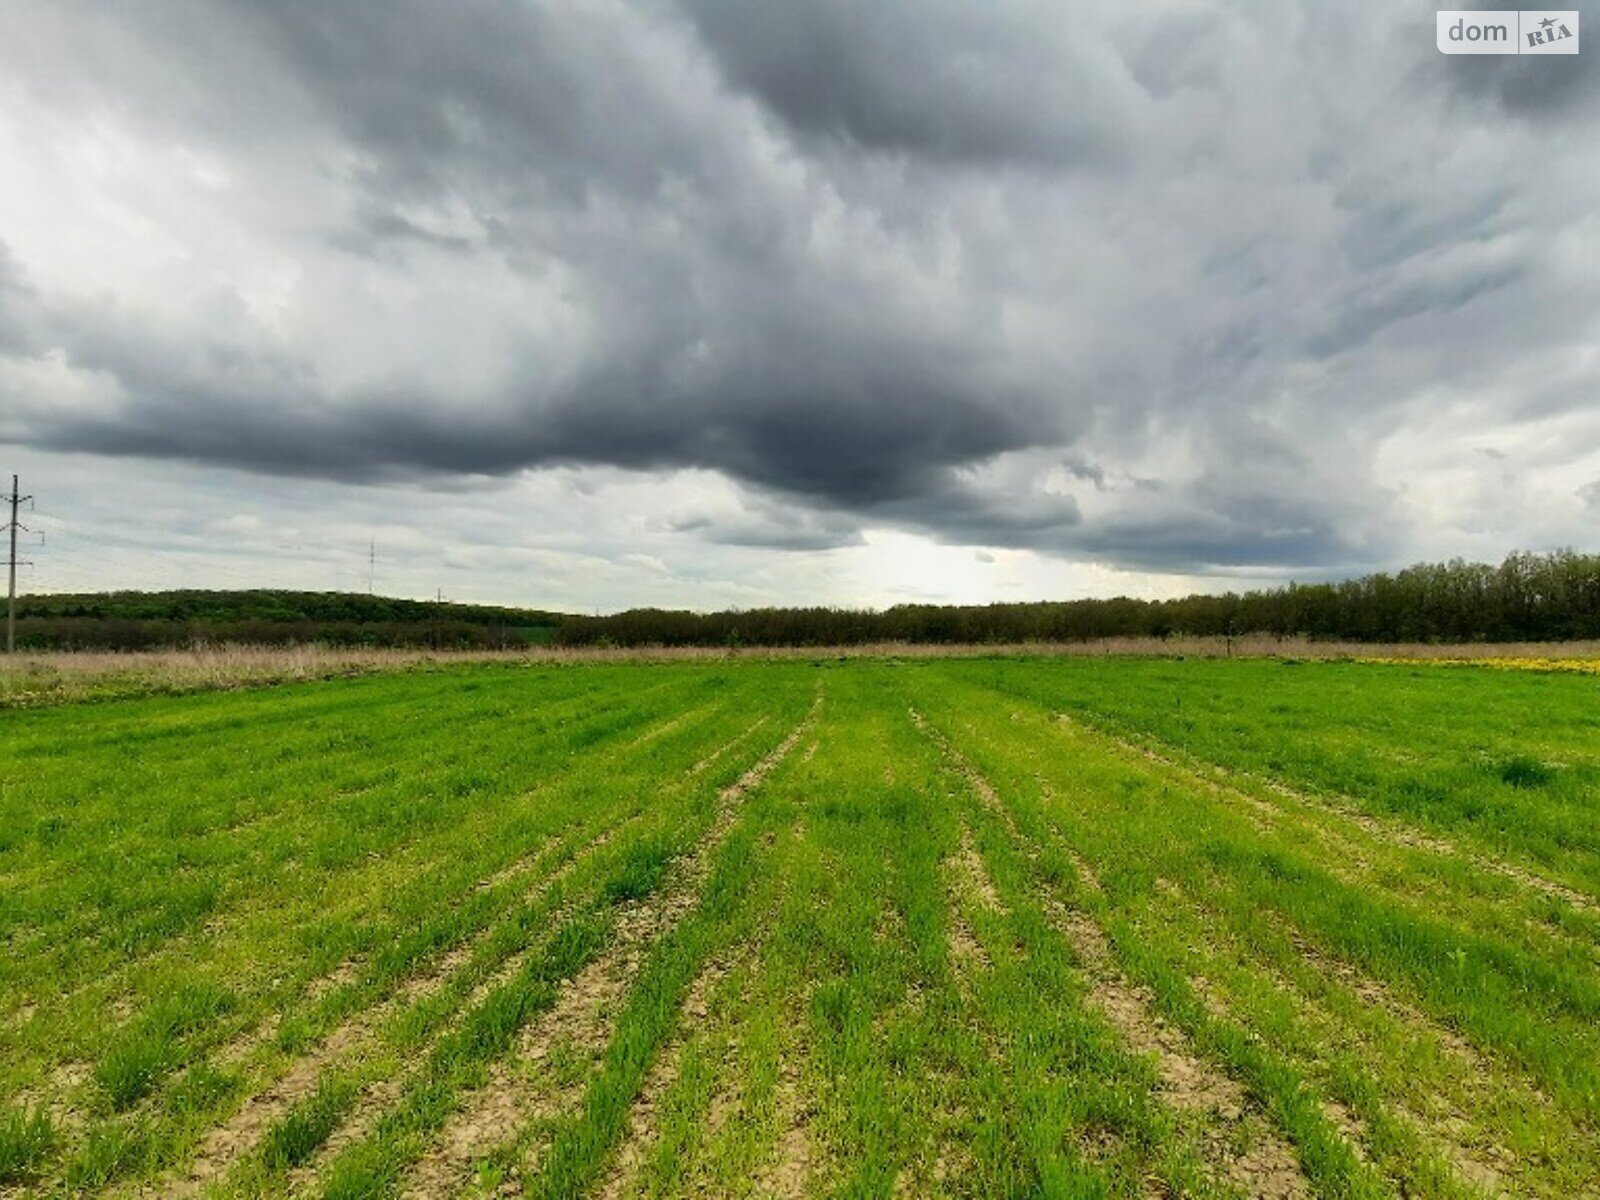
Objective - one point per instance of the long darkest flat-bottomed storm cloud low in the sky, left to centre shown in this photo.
(847, 422)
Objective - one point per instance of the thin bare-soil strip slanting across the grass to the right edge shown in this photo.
(1222, 780)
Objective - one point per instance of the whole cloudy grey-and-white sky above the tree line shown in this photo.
(721, 303)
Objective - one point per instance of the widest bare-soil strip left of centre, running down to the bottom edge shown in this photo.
(521, 1089)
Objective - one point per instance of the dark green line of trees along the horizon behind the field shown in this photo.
(1530, 598)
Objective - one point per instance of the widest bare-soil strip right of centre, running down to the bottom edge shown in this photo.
(1268, 1167)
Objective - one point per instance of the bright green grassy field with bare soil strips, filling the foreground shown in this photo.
(959, 927)
